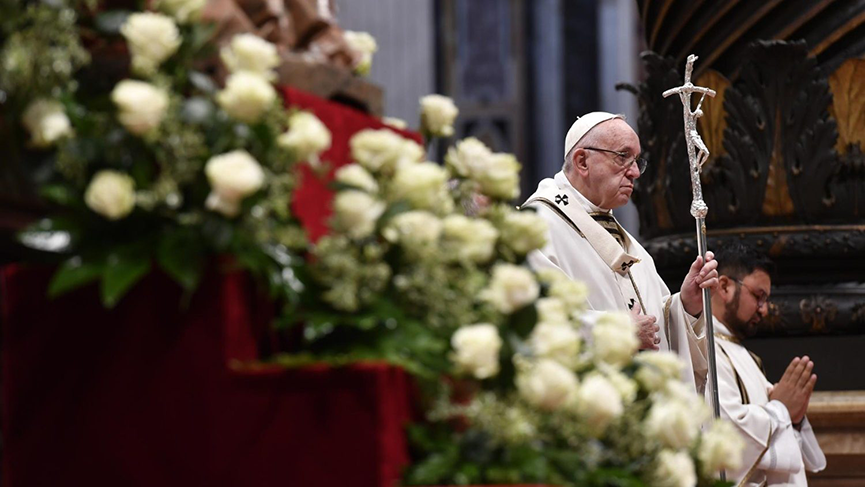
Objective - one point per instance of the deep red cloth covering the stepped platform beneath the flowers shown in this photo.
(147, 394)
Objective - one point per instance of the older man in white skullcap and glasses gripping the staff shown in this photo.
(587, 244)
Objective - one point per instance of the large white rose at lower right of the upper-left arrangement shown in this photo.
(233, 176)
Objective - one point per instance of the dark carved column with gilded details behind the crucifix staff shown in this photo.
(786, 134)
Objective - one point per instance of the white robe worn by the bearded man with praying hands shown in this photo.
(775, 452)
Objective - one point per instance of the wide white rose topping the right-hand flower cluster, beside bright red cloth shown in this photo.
(383, 150)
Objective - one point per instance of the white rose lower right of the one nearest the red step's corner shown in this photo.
(547, 384)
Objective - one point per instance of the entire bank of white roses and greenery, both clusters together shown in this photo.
(424, 267)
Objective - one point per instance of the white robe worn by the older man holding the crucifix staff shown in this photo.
(618, 274)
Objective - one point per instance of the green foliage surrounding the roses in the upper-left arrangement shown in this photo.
(41, 56)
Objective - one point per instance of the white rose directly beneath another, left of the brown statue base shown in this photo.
(246, 96)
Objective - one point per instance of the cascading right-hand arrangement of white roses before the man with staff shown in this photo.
(555, 394)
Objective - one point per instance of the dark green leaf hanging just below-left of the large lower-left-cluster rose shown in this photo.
(181, 254)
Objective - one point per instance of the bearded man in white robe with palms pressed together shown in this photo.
(780, 444)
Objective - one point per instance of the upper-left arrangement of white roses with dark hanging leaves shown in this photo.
(159, 165)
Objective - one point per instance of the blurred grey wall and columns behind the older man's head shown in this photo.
(520, 71)
